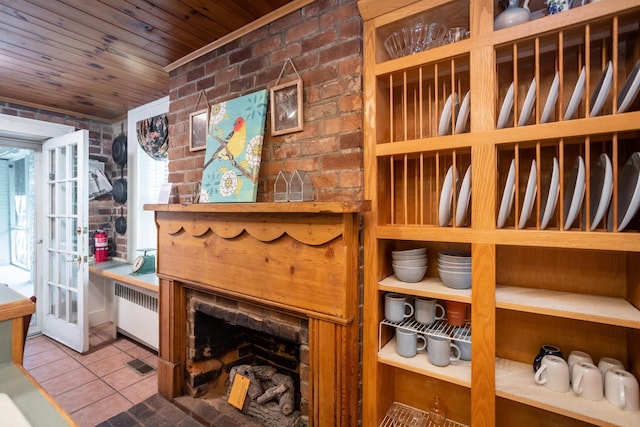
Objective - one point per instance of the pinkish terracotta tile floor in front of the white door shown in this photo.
(95, 386)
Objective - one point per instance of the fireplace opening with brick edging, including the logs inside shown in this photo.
(227, 337)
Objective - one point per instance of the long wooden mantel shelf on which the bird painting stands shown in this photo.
(286, 207)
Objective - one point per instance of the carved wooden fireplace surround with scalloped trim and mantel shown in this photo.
(298, 258)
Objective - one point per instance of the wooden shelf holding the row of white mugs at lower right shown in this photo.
(514, 381)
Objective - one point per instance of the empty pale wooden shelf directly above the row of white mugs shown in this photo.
(591, 308)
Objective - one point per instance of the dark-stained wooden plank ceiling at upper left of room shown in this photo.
(101, 58)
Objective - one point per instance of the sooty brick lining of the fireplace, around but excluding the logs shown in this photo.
(223, 333)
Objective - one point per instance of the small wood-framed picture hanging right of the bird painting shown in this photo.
(286, 107)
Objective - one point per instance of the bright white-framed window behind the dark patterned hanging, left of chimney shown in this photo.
(146, 176)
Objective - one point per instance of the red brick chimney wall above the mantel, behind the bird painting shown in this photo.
(324, 41)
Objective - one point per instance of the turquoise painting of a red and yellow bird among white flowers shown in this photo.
(234, 149)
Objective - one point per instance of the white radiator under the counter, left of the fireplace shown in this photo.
(137, 314)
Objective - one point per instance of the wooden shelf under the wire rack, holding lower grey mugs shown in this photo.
(458, 372)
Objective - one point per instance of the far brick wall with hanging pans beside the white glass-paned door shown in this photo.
(101, 137)
